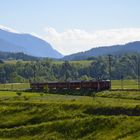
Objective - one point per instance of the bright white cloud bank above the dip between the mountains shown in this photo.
(76, 40)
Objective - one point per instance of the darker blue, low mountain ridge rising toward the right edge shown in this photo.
(115, 49)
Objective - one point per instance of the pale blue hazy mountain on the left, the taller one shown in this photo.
(29, 44)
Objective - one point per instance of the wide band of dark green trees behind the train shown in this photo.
(48, 70)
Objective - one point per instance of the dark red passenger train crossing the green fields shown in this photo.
(90, 85)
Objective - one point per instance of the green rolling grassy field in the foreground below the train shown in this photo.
(35, 116)
